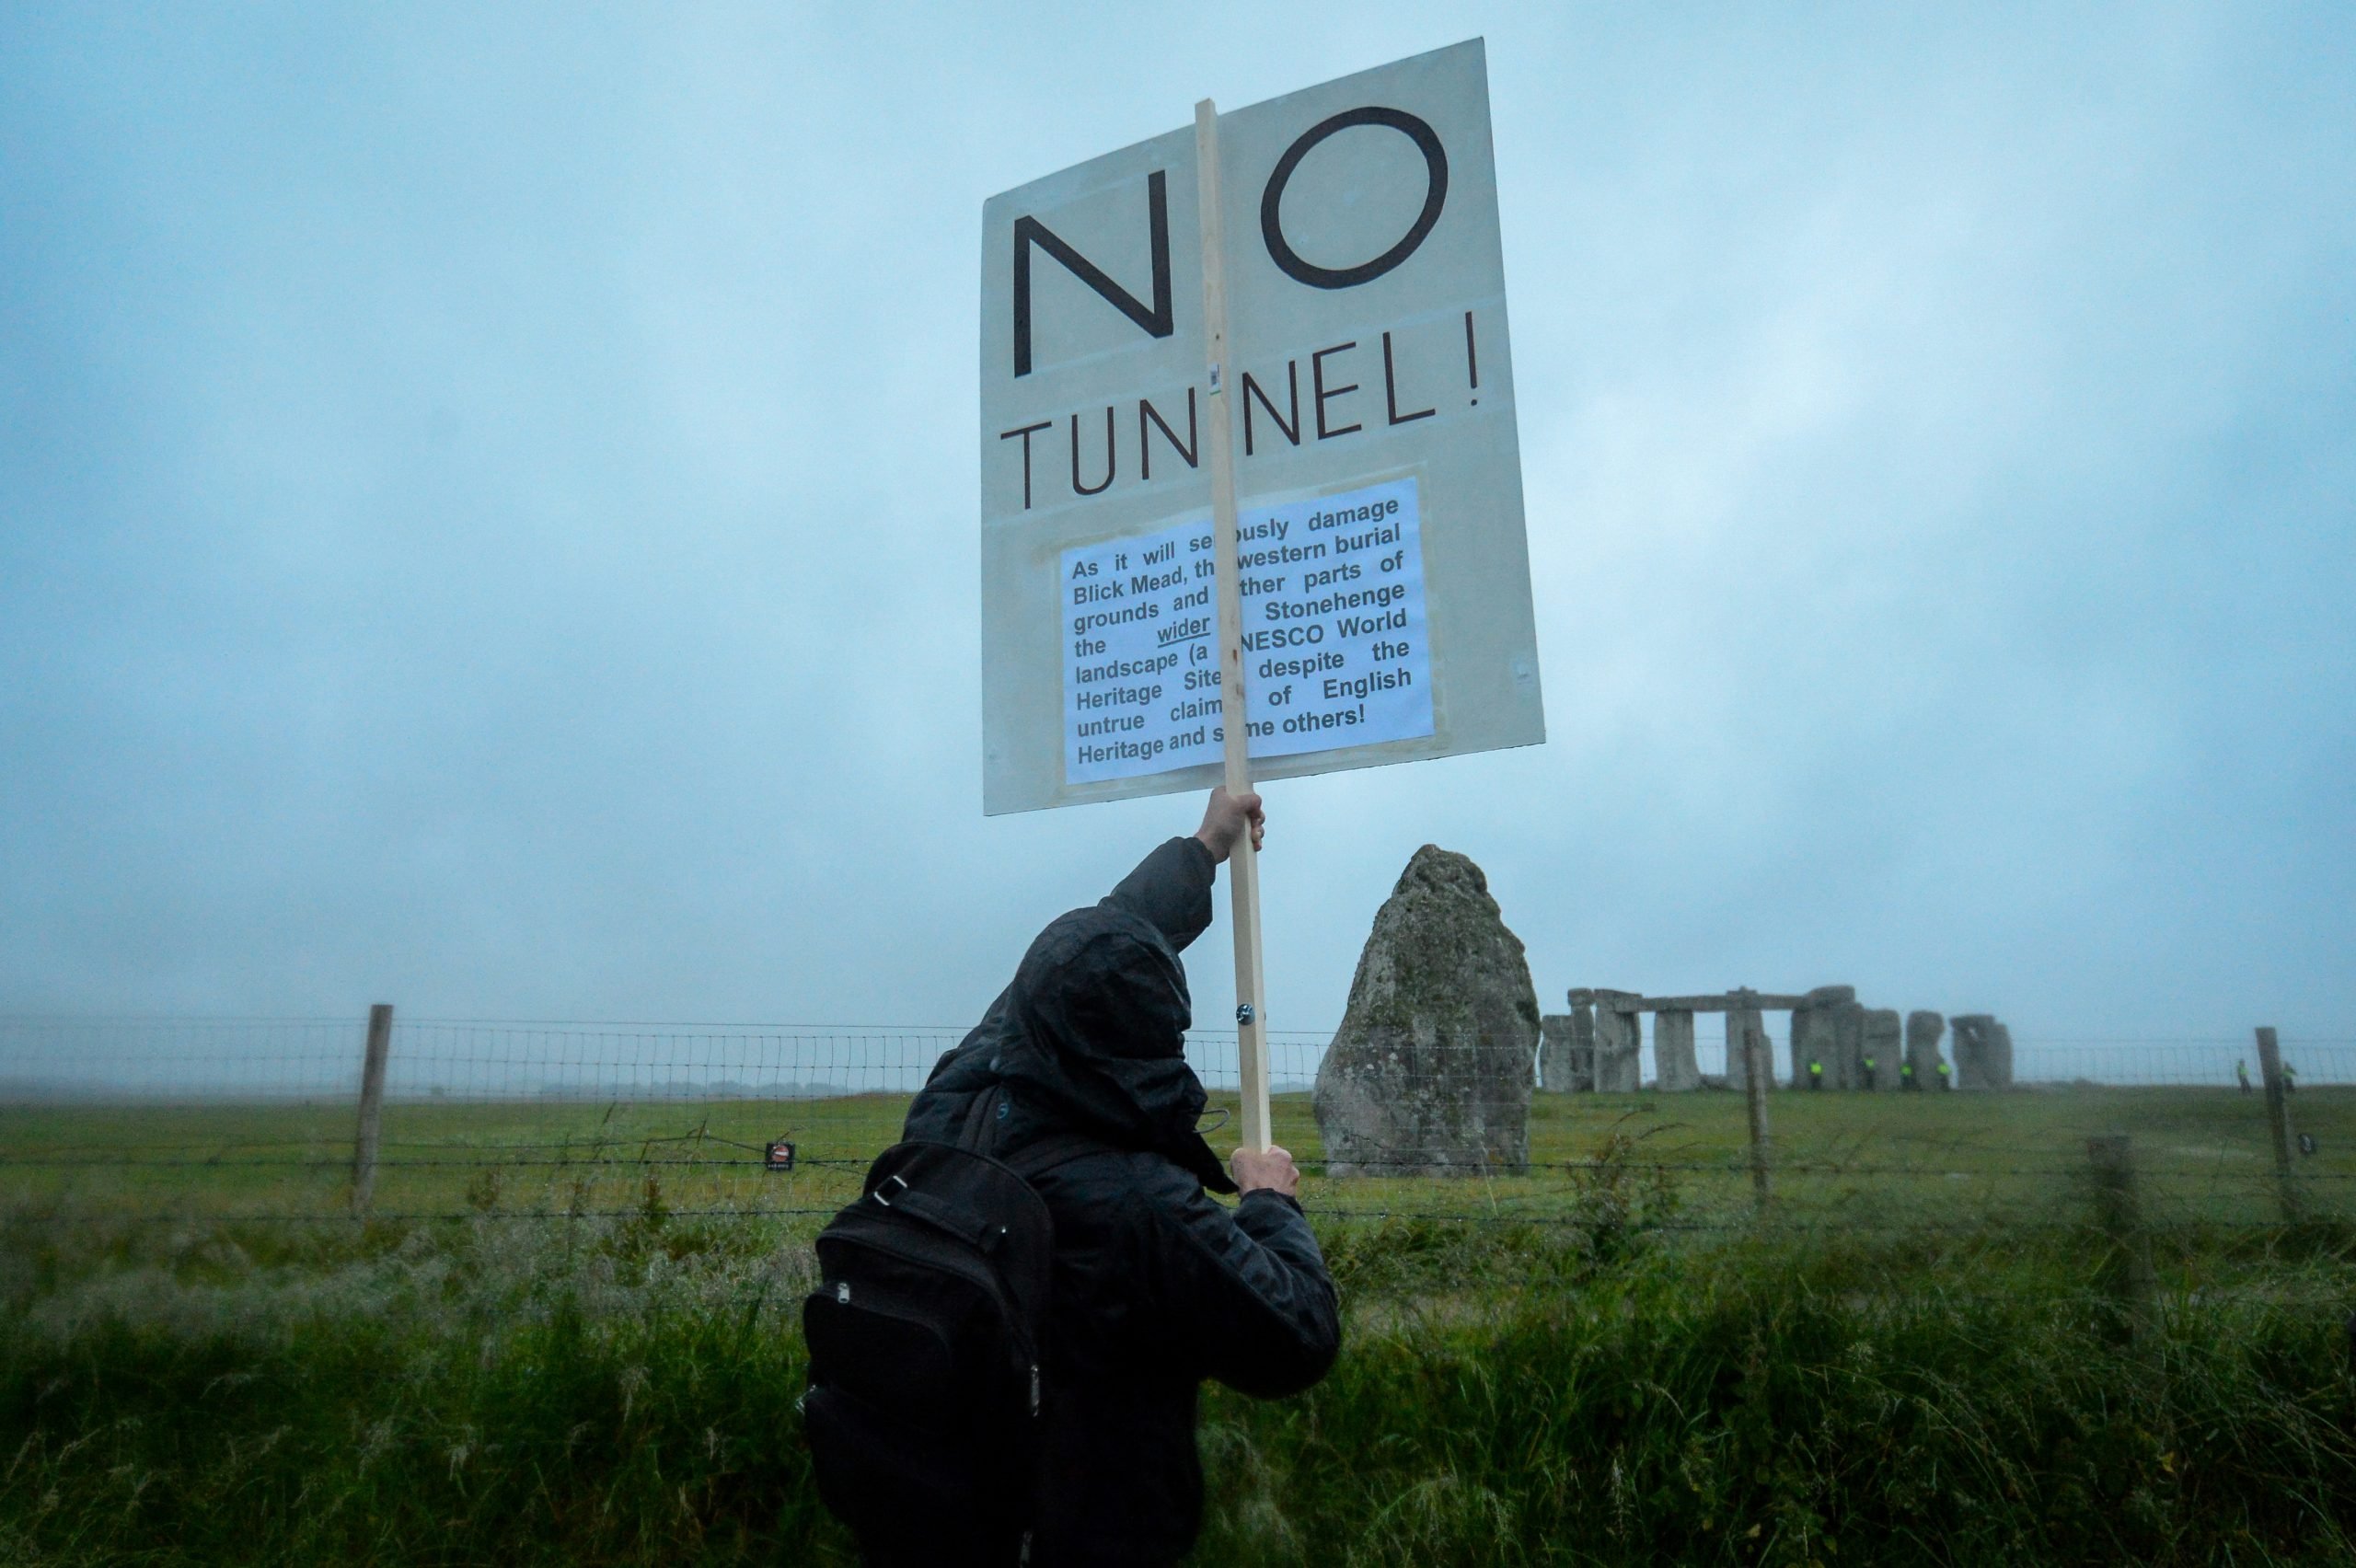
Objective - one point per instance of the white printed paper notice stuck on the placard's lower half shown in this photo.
(1335, 639)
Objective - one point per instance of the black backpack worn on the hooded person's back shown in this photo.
(927, 1346)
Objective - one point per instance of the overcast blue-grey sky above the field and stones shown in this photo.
(489, 507)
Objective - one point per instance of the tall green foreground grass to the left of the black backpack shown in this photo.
(489, 1393)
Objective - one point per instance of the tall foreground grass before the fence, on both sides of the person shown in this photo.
(1589, 1393)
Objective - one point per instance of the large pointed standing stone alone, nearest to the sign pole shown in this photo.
(1431, 1068)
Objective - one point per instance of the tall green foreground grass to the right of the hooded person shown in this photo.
(1801, 1407)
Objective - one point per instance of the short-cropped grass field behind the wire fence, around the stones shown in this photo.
(1841, 1160)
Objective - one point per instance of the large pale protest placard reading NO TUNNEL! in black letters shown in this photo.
(1368, 350)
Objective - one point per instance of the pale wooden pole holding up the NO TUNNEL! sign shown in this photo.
(1245, 865)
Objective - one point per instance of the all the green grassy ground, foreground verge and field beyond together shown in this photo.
(1928, 1353)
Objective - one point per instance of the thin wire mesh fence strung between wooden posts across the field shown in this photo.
(256, 1119)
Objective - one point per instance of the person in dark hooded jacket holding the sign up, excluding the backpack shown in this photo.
(1156, 1287)
